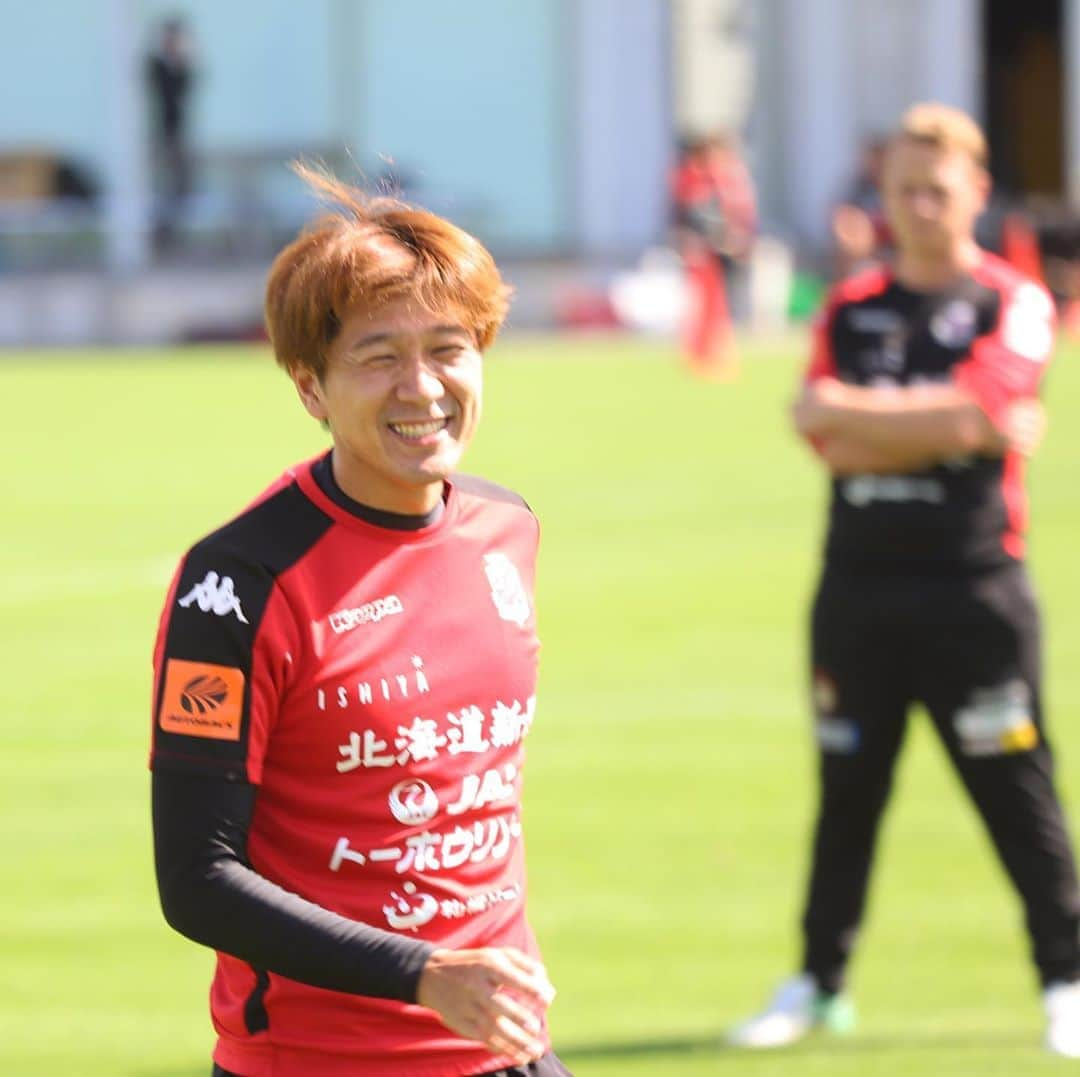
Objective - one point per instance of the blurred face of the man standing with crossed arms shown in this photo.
(933, 197)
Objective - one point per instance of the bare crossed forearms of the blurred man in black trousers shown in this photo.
(860, 429)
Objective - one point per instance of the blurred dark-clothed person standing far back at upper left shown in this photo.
(170, 77)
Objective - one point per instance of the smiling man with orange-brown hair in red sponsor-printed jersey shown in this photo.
(345, 676)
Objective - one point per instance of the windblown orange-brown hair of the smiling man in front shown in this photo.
(371, 251)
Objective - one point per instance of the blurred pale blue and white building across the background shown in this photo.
(547, 127)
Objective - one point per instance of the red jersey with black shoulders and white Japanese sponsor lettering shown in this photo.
(376, 686)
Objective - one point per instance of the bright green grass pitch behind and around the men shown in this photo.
(670, 783)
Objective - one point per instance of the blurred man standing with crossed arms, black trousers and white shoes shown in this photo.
(922, 403)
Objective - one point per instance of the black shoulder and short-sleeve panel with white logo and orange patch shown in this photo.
(202, 717)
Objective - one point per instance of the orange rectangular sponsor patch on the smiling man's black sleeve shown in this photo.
(202, 701)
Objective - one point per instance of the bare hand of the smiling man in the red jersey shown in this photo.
(496, 997)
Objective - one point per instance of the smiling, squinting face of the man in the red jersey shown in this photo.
(402, 397)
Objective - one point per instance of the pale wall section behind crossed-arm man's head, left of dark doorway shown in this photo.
(836, 72)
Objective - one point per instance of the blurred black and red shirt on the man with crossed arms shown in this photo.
(992, 333)
